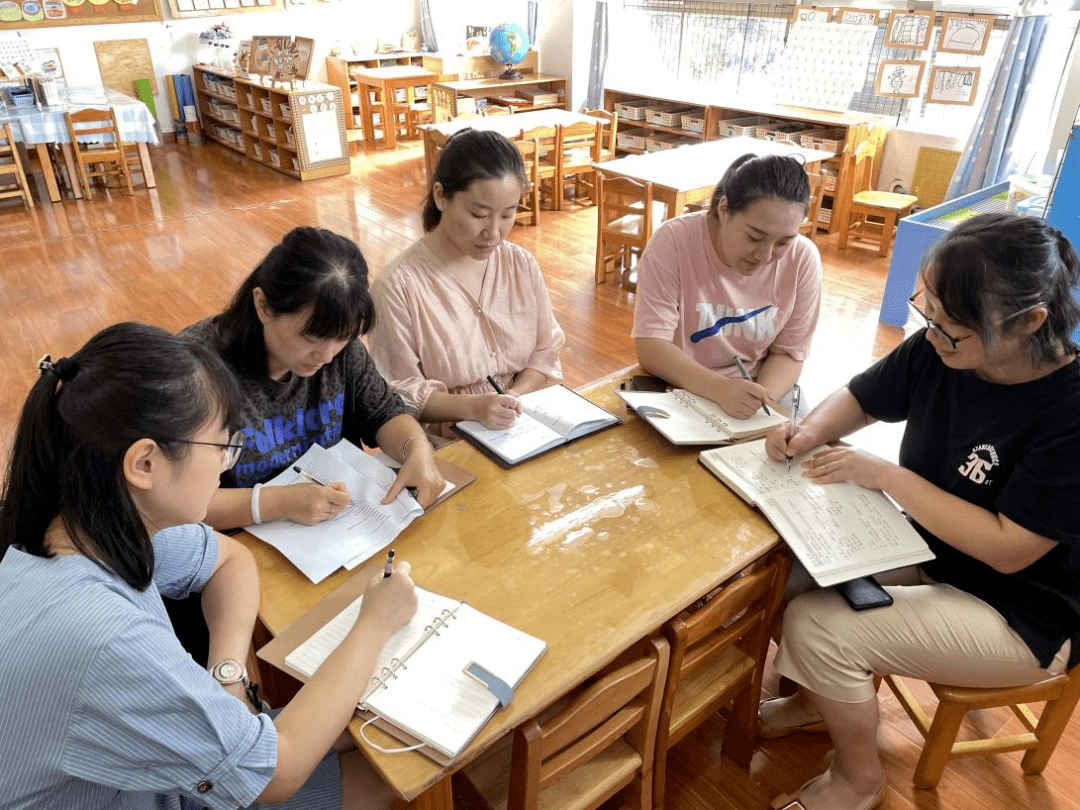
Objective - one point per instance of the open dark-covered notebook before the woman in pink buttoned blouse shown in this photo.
(550, 417)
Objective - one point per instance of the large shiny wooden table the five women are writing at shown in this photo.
(591, 548)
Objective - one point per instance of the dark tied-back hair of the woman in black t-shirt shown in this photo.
(993, 268)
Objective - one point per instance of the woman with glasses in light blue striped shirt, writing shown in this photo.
(116, 458)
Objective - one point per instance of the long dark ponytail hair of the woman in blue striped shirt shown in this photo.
(130, 382)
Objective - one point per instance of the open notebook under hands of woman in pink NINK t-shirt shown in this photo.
(686, 418)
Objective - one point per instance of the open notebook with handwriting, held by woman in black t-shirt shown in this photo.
(839, 532)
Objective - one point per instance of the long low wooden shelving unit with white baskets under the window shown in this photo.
(720, 118)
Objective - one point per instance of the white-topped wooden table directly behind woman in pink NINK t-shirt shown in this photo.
(688, 174)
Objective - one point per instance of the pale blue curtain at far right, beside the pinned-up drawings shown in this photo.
(991, 152)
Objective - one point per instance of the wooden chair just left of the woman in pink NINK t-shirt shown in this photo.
(625, 218)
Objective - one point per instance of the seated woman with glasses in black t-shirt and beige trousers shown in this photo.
(988, 475)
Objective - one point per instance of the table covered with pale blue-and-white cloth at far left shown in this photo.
(43, 127)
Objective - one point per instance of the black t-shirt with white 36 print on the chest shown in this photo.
(1011, 450)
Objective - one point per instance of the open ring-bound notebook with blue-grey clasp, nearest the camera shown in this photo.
(420, 686)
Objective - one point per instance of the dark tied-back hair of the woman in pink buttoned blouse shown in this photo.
(469, 156)
